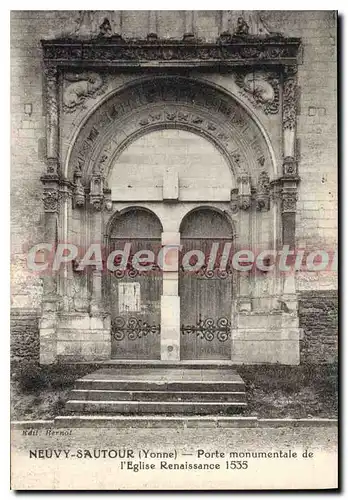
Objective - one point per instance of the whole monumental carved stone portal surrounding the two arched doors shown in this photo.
(188, 141)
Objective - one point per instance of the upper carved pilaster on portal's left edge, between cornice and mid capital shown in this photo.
(52, 118)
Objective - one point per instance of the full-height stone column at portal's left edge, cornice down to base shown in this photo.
(50, 180)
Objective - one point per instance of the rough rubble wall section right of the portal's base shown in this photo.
(318, 315)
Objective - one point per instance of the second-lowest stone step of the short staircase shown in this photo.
(118, 395)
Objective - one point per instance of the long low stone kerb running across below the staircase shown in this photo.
(157, 421)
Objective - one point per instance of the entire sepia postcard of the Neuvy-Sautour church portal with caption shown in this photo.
(174, 250)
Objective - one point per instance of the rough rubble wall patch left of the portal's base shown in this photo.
(24, 335)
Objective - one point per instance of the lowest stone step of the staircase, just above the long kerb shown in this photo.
(154, 407)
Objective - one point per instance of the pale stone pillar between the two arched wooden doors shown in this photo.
(170, 300)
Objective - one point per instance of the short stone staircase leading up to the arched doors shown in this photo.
(158, 390)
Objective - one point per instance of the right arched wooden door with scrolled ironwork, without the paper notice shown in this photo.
(206, 294)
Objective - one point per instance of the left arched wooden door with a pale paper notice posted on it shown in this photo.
(135, 286)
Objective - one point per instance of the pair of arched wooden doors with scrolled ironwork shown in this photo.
(205, 289)
